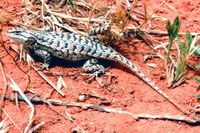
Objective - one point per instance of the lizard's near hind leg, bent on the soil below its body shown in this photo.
(92, 66)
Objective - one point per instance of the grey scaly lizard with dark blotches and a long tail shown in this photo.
(75, 47)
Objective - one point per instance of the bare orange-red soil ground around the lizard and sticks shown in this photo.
(127, 92)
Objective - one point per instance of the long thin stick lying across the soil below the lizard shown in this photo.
(85, 106)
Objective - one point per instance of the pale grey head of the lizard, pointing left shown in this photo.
(21, 35)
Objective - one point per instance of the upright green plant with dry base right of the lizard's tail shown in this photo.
(176, 70)
